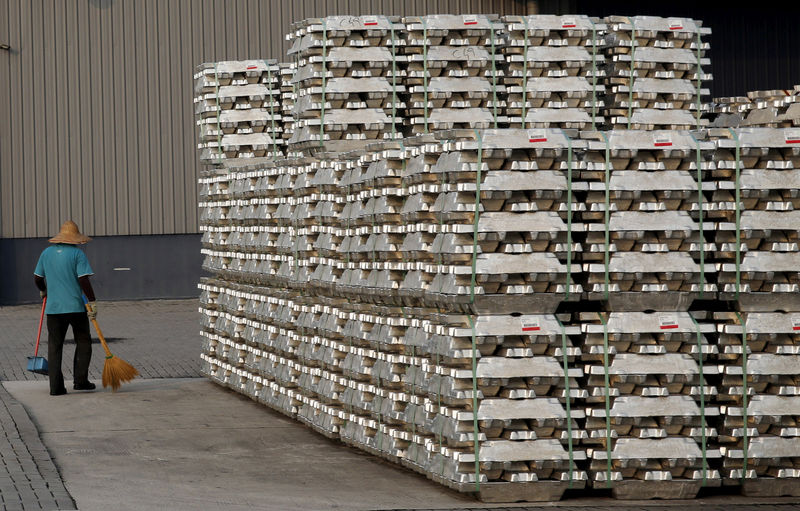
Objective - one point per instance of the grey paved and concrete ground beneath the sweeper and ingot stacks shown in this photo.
(172, 440)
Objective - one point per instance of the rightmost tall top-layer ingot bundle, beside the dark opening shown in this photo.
(655, 72)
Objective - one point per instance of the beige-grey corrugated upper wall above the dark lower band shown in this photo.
(96, 116)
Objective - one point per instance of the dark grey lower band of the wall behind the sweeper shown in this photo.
(125, 267)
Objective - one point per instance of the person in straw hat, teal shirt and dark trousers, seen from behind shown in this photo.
(61, 274)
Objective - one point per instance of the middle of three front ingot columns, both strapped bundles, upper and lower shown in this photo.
(645, 250)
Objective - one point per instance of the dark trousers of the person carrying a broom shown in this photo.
(57, 325)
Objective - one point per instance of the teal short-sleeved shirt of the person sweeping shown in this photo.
(61, 265)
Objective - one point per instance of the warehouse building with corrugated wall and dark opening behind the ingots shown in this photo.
(96, 118)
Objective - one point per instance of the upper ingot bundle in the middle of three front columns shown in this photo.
(645, 246)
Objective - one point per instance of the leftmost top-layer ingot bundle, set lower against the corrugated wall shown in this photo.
(238, 110)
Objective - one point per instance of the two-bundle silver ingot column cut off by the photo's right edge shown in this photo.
(758, 257)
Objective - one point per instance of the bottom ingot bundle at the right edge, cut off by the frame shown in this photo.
(760, 398)
